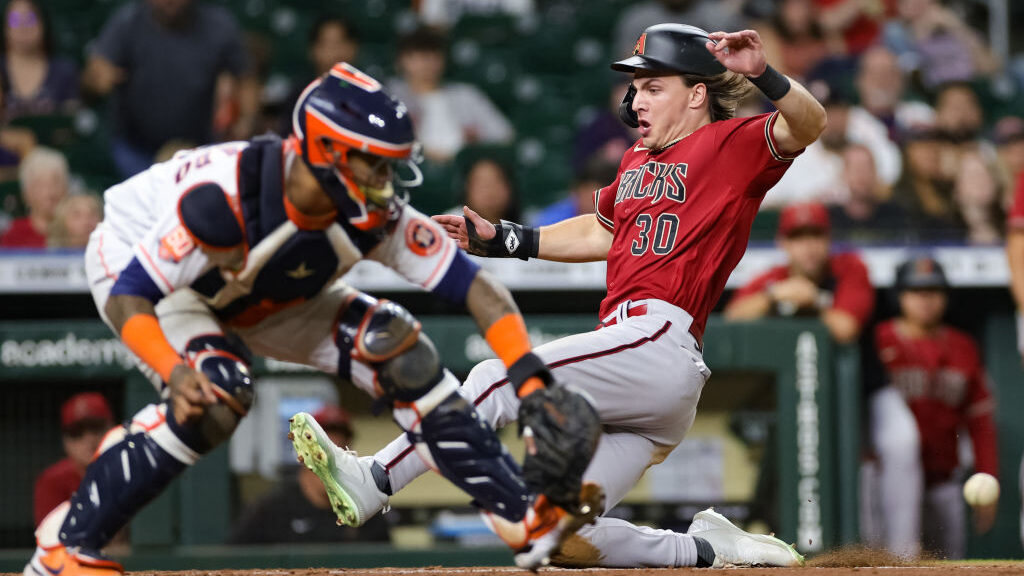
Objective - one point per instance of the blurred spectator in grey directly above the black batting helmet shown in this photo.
(712, 16)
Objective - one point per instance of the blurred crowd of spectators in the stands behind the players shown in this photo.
(925, 143)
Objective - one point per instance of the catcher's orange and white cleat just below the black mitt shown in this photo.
(542, 533)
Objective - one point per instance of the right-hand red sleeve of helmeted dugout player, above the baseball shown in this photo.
(978, 412)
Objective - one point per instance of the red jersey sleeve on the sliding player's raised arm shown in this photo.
(749, 157)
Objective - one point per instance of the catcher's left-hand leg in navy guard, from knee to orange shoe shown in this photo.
(138, 461)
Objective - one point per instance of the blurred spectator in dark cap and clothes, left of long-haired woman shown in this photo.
(925, 190)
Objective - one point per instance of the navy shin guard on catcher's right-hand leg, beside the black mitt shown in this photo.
(466, 451)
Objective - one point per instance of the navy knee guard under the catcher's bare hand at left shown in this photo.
(223, 363)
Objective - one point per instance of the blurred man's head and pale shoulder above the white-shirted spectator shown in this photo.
(881, 86)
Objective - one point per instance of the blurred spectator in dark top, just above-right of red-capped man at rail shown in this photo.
(867, 216)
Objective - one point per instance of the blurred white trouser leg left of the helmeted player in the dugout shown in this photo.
(902, 483)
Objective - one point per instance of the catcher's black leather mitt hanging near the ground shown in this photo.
(561, 429)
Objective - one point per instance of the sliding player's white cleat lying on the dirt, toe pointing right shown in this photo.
(736, 548)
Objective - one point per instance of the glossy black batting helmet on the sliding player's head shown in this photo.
(667, 48)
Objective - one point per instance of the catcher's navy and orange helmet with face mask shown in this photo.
(347, 110)
